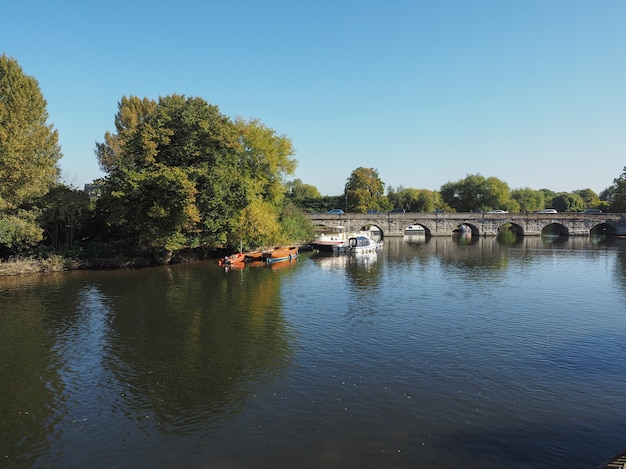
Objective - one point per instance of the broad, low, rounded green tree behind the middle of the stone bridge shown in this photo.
(476, 192)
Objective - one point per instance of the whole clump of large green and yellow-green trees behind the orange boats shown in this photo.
(181, 174)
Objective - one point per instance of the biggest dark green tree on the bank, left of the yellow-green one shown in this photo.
(172, 167)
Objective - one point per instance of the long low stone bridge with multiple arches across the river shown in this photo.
(483, 224)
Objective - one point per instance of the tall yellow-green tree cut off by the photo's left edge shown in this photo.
(29, 153)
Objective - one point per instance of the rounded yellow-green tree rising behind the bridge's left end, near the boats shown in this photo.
(364, 190)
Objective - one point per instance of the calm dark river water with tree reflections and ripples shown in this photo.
(433, 354)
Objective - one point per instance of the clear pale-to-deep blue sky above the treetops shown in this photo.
(532, 92)
